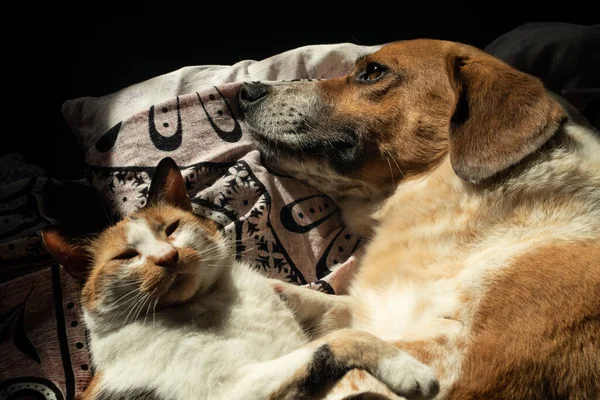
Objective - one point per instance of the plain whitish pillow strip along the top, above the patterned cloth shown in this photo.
(90, 117)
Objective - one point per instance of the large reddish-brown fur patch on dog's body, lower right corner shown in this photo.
(545, 344)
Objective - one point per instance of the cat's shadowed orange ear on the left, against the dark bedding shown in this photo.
(73, 256)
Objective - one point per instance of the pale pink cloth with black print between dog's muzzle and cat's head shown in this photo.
(280, 226)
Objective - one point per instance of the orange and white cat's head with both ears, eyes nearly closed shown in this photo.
(162, 254)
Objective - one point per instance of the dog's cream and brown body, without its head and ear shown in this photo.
(498, 288)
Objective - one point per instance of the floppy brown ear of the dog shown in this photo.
(501, 115)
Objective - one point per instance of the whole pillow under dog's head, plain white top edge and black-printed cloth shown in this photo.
(282, 227)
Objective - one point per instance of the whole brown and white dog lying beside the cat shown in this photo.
(481, 198)
